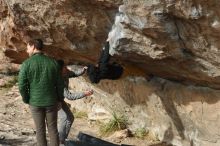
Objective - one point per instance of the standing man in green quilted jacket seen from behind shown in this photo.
(41, 87)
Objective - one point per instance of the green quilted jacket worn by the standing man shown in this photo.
(40, 82)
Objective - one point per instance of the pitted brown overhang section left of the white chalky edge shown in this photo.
(73, 27)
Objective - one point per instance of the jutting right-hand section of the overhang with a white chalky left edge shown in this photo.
(176, 40)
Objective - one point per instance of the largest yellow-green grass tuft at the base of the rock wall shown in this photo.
(118, 122)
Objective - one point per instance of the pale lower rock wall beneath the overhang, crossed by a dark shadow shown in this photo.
(171, 112)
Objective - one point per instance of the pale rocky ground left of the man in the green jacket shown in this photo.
(15, 120)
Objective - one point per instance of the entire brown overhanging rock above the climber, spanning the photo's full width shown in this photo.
(176, 40)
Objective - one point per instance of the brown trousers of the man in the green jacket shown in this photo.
(48, 114)
